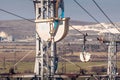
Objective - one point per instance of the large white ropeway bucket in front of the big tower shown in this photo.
(43, 29)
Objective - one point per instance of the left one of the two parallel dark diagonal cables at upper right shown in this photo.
(90, 15)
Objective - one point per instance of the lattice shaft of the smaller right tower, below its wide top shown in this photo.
(112, 58)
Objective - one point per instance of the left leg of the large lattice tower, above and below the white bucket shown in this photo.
(39, 61)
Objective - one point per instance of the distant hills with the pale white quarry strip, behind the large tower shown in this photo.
(22, 29)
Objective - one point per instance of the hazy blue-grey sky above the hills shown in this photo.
(25, 8)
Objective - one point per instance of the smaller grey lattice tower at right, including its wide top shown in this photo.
(112, 56)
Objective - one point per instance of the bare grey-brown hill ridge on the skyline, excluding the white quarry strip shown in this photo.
(19, 29)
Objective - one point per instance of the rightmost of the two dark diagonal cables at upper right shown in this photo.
(106, 15)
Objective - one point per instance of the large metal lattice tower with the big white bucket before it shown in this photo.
(51, 27)
